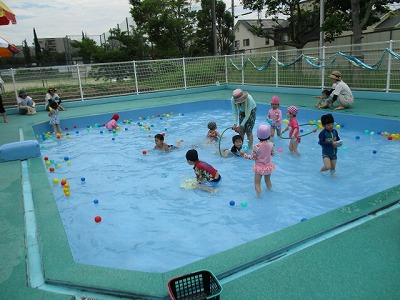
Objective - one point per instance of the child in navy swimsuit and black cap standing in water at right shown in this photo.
(329, 141)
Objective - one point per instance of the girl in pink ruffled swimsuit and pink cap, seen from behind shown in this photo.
(262, 153)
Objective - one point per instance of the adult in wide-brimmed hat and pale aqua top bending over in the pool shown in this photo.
(244, 110)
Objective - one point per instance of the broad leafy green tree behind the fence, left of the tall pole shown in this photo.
(168, 25)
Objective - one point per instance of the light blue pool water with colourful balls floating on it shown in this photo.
(149, 223)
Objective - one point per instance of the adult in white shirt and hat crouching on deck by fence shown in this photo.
(341, 91)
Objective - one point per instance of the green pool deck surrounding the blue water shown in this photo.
(362, 262)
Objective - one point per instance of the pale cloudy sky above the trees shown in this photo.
(60, 18)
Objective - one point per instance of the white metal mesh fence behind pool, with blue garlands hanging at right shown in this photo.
(374, 66)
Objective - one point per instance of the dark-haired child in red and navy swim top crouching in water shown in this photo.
(206, 176)
